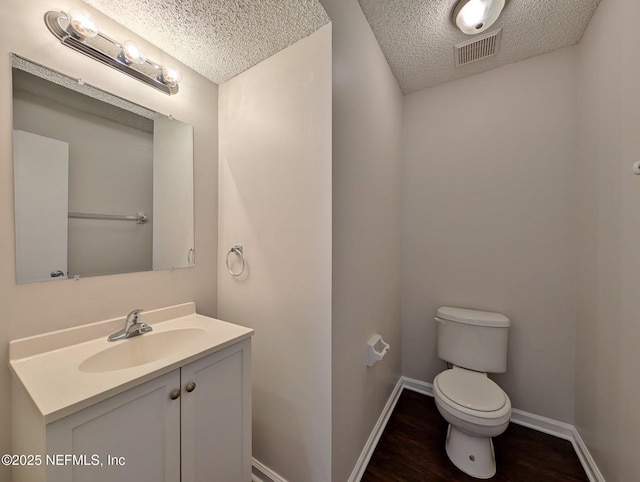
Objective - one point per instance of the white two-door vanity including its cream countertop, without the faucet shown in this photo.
(172, 405)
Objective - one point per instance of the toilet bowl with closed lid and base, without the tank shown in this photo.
(476, 409)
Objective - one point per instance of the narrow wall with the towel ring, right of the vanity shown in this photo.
(275, 200)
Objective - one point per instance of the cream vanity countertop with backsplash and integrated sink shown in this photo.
(58, 372)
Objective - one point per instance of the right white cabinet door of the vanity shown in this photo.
(216, 417)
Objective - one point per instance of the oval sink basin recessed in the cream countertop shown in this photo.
(140, 350)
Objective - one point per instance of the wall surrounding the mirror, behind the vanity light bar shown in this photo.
(40, 307)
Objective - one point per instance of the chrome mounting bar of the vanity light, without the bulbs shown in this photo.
(107, 51)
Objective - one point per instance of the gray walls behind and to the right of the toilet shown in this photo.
(488, 223)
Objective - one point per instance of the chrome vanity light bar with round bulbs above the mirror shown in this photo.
(78, 30)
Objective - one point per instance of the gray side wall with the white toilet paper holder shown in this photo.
(367, 197)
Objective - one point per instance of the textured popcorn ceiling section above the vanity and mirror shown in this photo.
(218, 38)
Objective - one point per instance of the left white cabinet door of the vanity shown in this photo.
(135, 436)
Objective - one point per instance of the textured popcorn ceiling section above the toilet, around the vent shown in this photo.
(418, 36)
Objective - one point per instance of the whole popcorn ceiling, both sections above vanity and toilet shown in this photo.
(221, 38)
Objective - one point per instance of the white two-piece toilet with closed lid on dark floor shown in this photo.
(474, 343)
